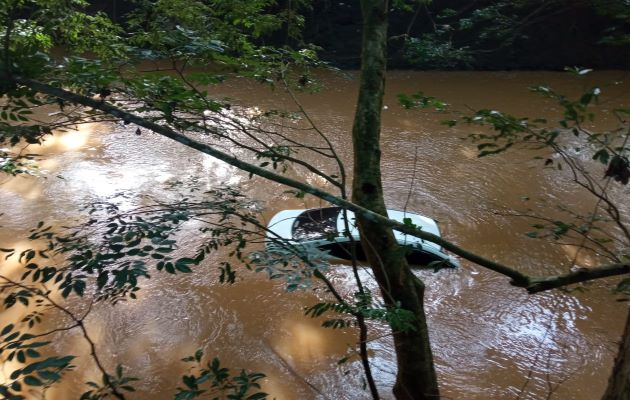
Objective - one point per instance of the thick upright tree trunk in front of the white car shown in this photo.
(416, 378)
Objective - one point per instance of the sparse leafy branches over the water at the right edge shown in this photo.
(571, 145)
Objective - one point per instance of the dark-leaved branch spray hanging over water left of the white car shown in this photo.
(118, 248)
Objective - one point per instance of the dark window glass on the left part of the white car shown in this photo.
(316, 224)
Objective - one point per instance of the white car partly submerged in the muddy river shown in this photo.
(322, 228)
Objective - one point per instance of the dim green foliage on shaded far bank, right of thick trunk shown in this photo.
(497, 33)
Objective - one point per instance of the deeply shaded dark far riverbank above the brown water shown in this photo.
(546, 35)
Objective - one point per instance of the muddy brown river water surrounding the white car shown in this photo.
(490, 340)
